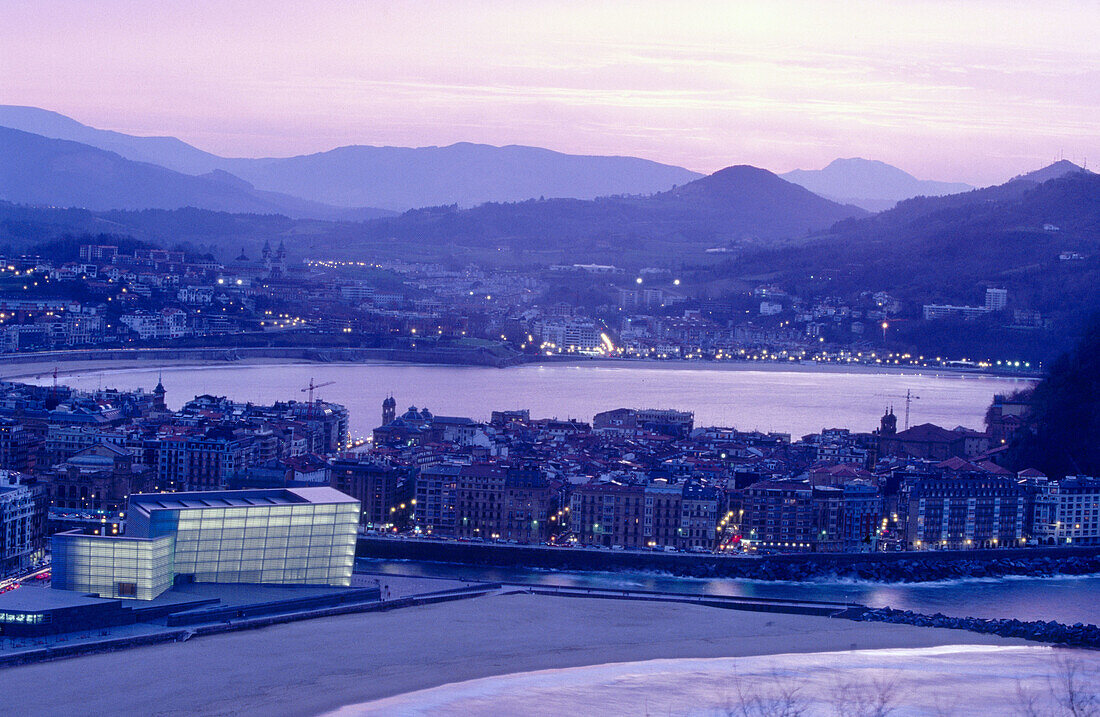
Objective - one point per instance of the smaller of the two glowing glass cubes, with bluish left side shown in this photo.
(112, 567)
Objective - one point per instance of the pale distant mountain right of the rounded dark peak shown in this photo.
(873, 185)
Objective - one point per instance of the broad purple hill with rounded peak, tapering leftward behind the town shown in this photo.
(739, 205)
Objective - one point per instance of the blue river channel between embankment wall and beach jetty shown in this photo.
(1066, 600)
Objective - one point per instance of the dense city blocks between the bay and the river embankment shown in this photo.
(631, 480)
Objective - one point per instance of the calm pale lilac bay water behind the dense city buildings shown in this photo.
(797, 402)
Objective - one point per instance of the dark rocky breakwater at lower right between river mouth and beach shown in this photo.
(1079, 636)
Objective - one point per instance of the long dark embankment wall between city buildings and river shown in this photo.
(887, 568)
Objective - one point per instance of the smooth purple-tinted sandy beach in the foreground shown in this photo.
(320, 666)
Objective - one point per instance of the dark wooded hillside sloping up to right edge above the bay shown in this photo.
(949, 250)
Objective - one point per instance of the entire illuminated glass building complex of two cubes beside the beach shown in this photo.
(285, 536)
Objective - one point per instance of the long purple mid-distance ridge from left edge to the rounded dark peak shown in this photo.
(742, 205)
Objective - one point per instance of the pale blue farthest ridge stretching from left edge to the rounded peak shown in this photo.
(395, 179)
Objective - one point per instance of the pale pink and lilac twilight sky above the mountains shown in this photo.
(976, 91)
